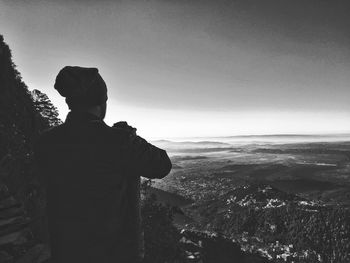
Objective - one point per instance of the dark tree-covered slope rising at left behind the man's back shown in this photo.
(23, 115)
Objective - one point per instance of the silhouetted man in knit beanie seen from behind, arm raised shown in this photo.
(92, 175)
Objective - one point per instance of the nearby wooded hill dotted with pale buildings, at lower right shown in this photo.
(284, 226)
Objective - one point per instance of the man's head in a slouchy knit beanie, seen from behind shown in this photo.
(83, 88)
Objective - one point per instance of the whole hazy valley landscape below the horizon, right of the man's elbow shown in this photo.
(286, 198)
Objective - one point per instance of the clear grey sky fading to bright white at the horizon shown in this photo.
(199, 68)
